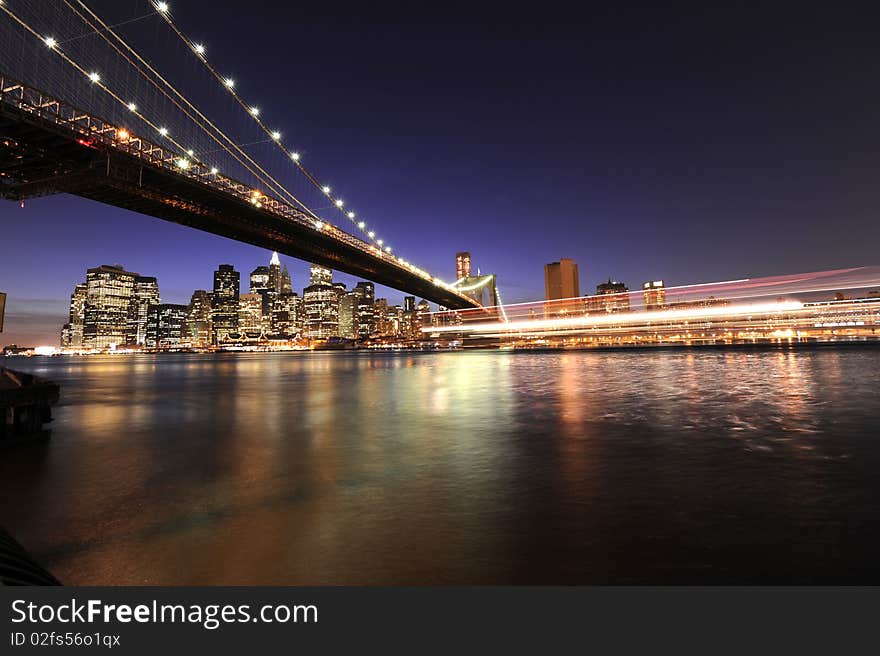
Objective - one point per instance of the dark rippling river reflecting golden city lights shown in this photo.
(480, 467)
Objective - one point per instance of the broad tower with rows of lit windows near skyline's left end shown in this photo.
(109, 291)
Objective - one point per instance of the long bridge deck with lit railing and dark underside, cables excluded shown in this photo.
(47, 147)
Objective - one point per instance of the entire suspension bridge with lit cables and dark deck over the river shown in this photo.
(85, 111)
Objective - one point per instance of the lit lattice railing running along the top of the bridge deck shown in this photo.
(92, 130)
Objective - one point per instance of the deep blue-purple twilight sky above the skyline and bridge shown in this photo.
(684, 144)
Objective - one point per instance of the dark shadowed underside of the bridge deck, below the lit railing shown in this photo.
(39, 158)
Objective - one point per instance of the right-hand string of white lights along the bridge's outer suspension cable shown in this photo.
(228, 83)
